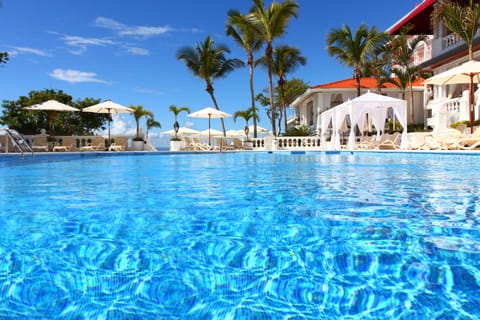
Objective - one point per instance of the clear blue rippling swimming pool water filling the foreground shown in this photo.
(242, 236)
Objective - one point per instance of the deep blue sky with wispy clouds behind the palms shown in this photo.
(126, 51)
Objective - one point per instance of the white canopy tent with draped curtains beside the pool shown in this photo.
(375, 106)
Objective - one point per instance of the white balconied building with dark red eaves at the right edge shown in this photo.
(444, 104)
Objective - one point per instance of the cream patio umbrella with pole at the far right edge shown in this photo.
(468, 72)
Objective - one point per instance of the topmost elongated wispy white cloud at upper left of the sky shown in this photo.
(125, 30)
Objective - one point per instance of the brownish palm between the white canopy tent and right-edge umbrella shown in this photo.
(402, 49)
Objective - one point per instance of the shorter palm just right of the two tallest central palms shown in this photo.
(286, 60)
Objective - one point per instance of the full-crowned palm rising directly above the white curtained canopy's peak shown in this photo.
(353, 49)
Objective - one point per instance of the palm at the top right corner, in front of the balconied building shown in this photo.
(464, 21)
